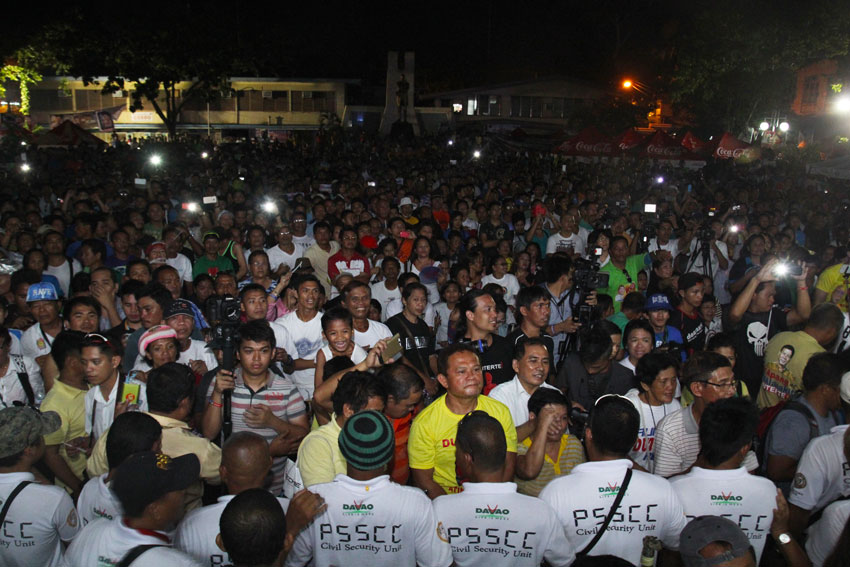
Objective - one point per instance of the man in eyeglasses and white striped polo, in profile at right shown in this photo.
(709, 377)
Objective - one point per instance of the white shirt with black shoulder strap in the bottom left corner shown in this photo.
(38, 520)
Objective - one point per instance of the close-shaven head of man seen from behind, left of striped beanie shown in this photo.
(245, 462)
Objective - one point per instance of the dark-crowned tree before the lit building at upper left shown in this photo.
(150, 63)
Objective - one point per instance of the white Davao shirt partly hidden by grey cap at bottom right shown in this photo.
(746, 499)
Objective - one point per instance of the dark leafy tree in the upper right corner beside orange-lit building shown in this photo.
(736, 62)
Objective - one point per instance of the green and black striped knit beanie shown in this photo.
(366, 440)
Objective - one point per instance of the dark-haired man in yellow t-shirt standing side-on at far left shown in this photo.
(65, 447)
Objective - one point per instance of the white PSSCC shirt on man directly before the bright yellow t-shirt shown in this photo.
(489, 524)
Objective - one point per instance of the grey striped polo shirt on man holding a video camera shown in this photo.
(281, 397)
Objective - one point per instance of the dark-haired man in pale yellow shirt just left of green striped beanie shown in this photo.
(319, 457)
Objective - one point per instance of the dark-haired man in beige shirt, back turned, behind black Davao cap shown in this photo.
(170, 396)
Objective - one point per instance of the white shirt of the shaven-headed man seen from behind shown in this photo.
(196, 534)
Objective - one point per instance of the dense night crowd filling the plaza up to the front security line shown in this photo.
(346, 350)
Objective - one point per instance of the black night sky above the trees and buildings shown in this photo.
(456, 43)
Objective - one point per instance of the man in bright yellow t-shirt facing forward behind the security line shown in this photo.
(431, 448)
